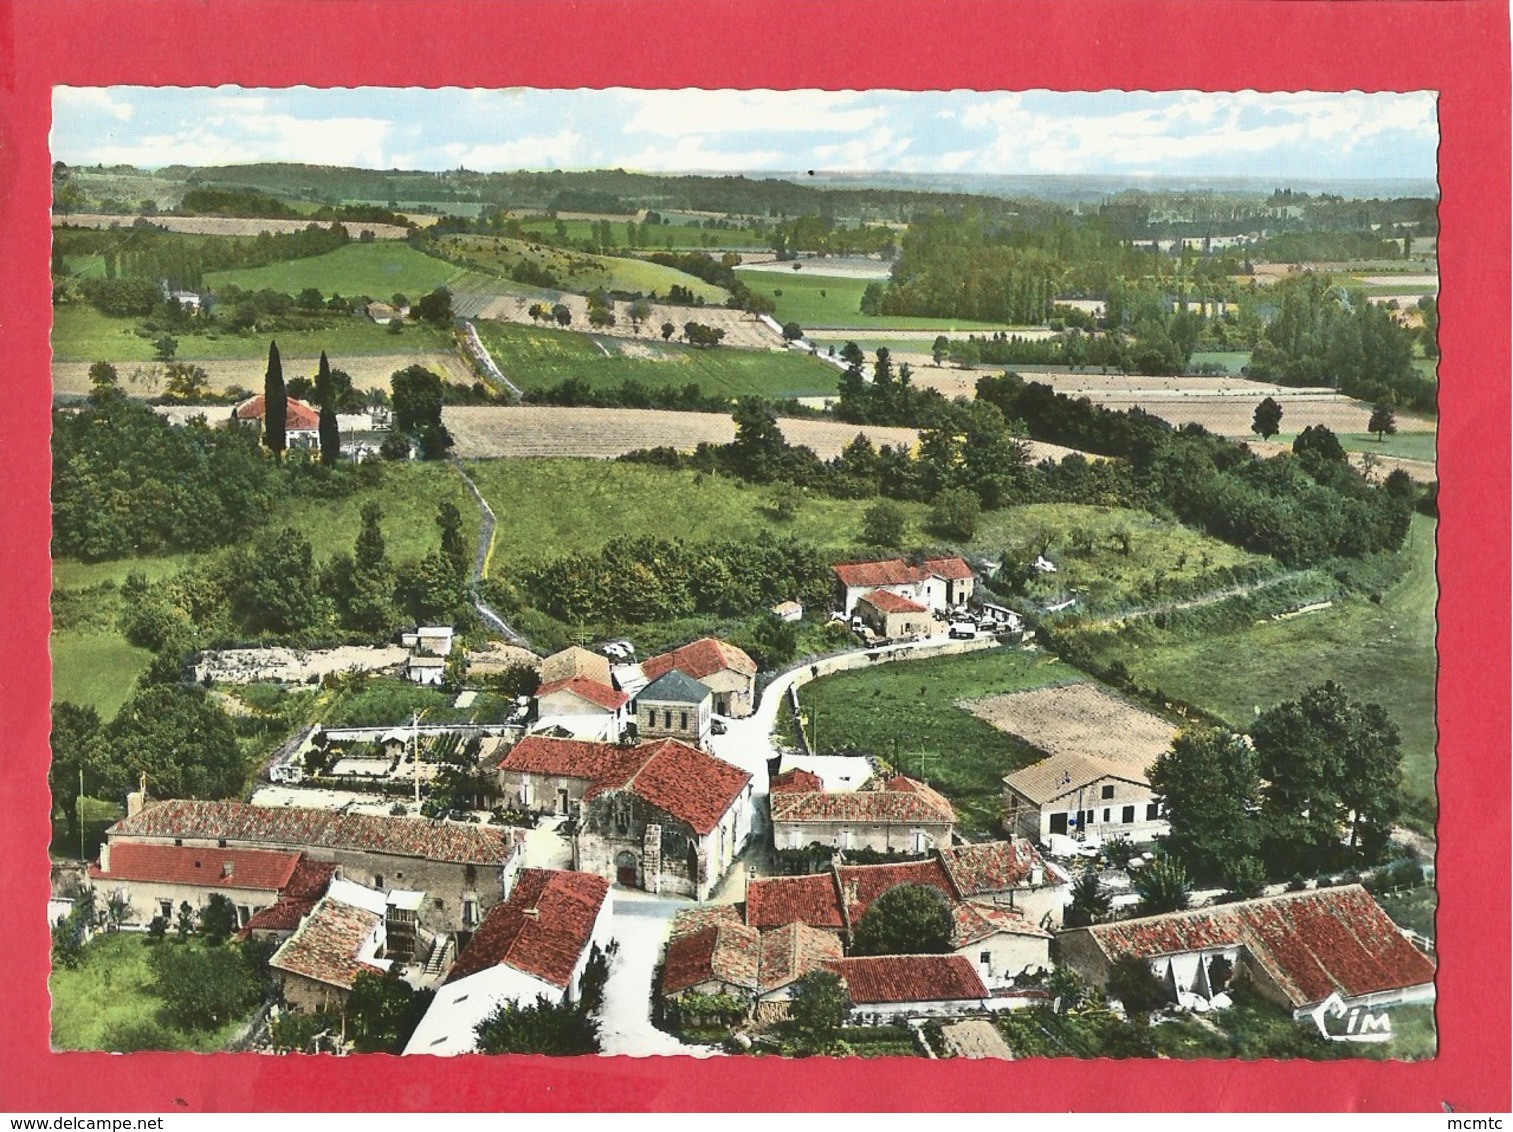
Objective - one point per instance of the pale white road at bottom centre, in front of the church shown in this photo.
(626, 1027)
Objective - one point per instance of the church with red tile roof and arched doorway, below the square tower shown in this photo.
(660, 816)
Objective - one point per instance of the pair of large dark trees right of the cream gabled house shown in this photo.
(1319, 786)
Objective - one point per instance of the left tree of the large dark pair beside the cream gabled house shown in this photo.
(1208, 785)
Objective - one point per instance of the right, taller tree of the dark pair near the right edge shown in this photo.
(1332, 771)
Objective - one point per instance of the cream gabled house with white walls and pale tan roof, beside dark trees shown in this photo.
(1084, 797)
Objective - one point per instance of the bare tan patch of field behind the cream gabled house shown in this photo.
(1078, 720)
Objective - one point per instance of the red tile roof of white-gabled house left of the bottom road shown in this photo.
(542, 930)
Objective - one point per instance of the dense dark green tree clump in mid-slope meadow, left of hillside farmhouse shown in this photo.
(647, 579)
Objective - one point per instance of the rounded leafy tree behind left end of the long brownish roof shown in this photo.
(179, 739)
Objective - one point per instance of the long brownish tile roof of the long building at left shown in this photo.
(302, 827)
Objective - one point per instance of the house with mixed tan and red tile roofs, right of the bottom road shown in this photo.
(713, 953)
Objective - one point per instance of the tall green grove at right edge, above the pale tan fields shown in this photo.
(1326, 337)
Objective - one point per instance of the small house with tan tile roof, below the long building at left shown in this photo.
(343, 938)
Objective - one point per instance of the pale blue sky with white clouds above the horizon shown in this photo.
(1187, 134)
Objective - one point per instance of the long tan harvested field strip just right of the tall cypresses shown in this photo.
(485, 432)
